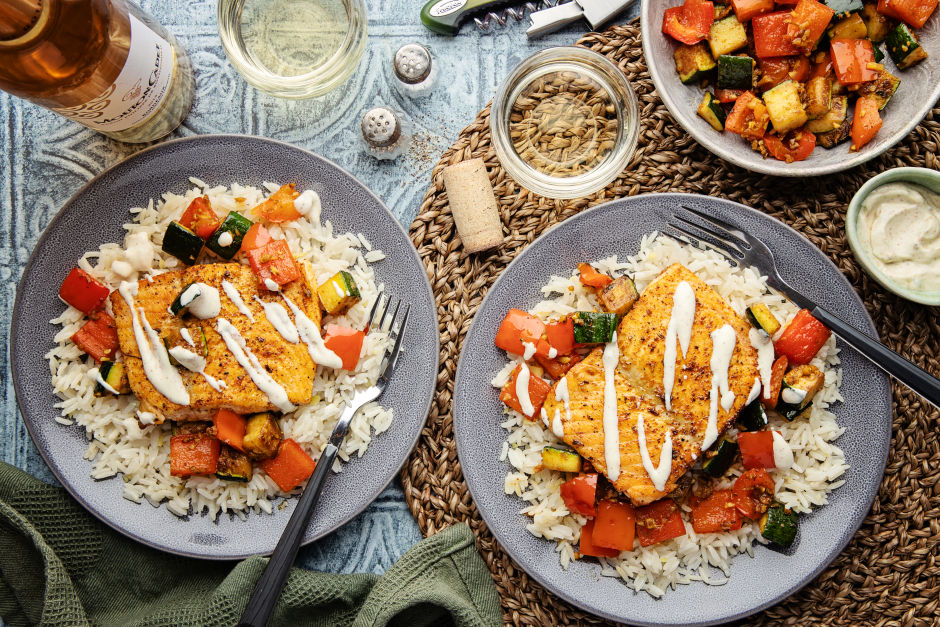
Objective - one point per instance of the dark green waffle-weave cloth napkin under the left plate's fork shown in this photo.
(60, 566)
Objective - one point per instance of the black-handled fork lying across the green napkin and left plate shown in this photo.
(268, 589)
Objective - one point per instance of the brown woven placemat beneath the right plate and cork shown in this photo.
(890, 573)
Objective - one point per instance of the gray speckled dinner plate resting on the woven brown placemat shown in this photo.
(756, 583)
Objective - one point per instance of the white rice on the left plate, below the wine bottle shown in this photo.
(118, 445)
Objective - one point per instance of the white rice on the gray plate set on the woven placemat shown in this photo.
(818, 466)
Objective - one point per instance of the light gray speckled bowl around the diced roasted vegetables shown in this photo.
(916, 96)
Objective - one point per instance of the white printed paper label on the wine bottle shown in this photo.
(138, 90)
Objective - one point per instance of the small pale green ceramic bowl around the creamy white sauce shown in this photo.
(919, 176)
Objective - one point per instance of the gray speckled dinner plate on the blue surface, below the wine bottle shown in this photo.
(94, 216)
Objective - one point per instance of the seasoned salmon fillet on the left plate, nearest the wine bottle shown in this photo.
(288, 364)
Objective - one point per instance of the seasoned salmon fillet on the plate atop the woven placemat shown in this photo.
(638, 380)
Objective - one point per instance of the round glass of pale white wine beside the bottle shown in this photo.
(294, 48)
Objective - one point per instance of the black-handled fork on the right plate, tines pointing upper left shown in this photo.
(744, 248)
